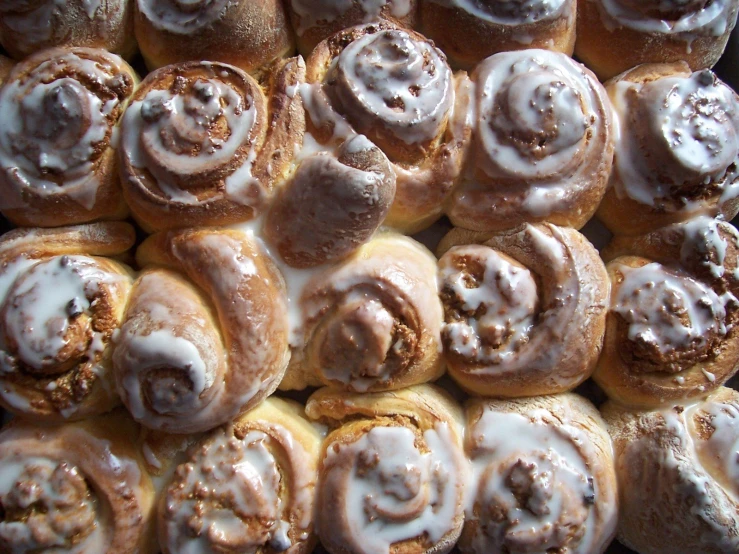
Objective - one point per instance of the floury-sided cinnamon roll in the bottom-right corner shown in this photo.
(677, 470)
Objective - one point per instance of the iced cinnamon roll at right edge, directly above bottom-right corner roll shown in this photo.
(669, 337)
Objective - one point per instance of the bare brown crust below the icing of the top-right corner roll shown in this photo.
(609, 51)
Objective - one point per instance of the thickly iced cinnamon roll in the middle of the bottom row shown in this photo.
(392, 471)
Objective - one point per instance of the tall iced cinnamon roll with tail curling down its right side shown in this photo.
(396, 88)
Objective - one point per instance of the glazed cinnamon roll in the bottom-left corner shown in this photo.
(78, 488)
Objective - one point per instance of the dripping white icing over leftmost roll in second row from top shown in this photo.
(54, 129)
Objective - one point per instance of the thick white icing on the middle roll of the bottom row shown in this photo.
(394, 492)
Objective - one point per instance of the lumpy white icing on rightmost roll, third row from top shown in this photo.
(667, 310)
